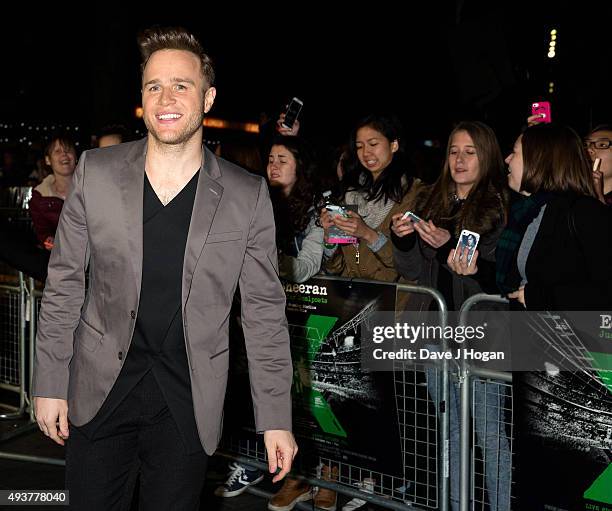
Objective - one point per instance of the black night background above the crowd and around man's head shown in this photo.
(432, 65)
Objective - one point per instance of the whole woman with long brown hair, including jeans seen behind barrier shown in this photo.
(469, 194)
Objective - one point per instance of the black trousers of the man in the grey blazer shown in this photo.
(140, 435)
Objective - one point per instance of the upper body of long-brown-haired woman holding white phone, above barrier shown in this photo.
(469, 194)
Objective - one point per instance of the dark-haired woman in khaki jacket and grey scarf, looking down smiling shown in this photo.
(377, 182)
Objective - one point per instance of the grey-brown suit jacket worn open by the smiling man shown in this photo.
(83, 337)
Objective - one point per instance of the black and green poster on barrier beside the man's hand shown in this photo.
(341, 412)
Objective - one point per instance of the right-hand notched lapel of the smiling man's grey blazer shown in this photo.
(208, 196)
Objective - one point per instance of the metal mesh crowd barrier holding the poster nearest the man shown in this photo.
(423, 424)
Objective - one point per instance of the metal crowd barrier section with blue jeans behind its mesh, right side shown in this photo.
(488, 395)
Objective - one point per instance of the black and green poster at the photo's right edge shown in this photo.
(564, 417)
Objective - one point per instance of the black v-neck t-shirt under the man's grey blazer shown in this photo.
(158, 344)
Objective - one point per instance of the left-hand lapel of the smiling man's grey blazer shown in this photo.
(132, 188)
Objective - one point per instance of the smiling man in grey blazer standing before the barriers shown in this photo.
(137, 362)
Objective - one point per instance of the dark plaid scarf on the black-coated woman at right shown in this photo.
(522, 213)
